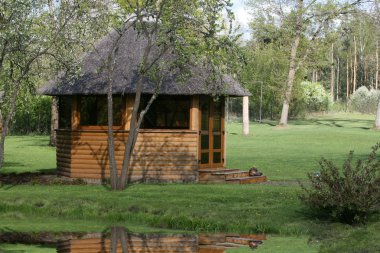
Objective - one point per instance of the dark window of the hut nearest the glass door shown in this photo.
(167, 112)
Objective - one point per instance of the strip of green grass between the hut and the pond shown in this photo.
(250, 208)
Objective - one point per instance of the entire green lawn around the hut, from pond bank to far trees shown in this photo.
(282, 154)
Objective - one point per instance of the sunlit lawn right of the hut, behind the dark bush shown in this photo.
(288, 154)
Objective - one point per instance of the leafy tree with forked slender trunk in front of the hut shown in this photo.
(193, 31)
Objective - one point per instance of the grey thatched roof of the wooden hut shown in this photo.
(93, 78)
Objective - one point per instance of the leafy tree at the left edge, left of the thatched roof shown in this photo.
(36, 34)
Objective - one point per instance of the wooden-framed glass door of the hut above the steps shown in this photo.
(211, 133)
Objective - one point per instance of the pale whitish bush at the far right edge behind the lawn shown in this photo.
(364, 100)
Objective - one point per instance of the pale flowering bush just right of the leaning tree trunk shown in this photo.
(315, 97)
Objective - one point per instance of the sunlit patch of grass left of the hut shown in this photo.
(28, 154)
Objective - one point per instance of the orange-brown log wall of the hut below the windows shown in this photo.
(159, 155)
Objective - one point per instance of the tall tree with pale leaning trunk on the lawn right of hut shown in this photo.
(308, 26)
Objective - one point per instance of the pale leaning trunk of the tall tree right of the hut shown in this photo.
(292, 65)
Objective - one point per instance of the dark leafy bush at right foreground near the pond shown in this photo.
(347, 195)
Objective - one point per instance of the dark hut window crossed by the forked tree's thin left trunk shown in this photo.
(93, 111)
